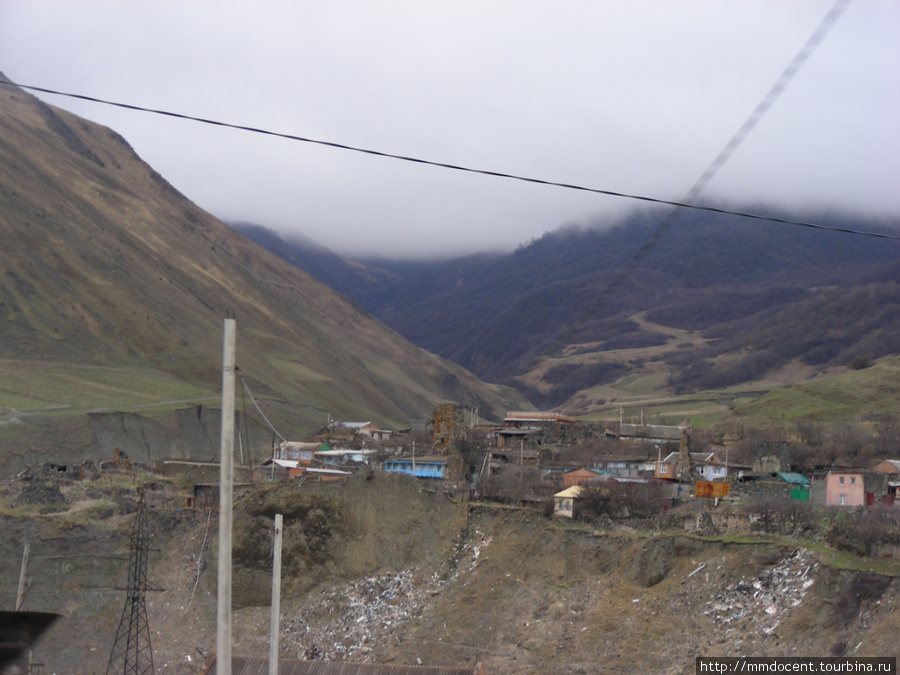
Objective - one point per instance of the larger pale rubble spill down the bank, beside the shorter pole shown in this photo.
(347, 622)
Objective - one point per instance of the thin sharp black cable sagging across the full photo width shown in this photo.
(454, 167)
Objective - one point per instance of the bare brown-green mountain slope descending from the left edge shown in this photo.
(105, 266)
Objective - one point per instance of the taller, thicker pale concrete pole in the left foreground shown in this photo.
(226, 500)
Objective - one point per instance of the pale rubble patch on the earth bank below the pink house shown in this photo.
(761, 603)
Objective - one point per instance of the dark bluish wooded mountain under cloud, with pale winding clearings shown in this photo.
(548, 316)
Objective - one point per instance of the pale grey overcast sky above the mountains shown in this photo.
(631, 96)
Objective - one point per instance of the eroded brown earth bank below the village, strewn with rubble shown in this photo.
(379, 569)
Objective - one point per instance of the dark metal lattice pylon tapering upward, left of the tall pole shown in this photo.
(131, 652)
